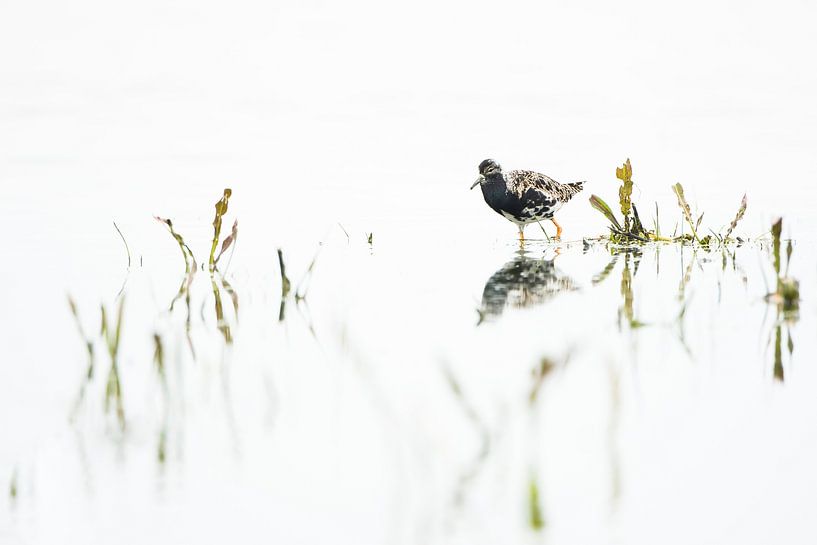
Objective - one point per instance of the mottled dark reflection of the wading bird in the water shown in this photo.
(522, 282)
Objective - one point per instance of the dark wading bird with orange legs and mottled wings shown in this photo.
(523, 196)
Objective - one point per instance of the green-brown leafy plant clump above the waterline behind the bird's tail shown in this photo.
(632, 230)
